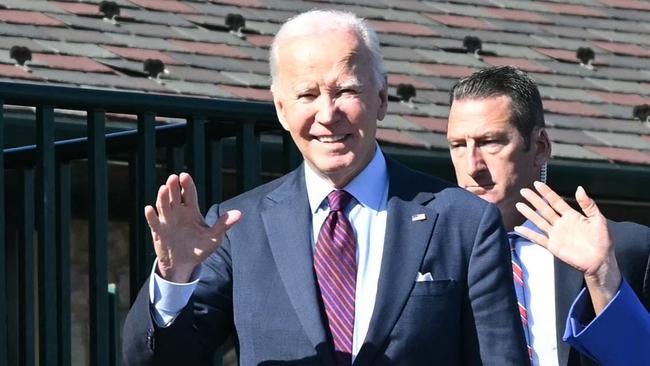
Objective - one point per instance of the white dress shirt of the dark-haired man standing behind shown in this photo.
(539, 276)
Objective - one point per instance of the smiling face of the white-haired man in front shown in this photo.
(327, 99)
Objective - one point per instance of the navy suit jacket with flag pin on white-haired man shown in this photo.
(260, 286)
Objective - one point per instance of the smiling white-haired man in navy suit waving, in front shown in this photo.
(351, 258)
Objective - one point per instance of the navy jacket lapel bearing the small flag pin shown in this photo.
(405, 244)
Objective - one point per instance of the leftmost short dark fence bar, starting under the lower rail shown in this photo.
(26, 286)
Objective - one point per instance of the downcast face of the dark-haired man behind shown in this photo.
(488, 152)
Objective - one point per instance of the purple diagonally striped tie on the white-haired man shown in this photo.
(336, 270)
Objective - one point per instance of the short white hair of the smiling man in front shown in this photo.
(306, 23)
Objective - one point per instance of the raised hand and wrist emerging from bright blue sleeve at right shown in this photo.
(581, 240)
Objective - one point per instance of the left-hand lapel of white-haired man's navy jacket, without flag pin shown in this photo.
(291, 246)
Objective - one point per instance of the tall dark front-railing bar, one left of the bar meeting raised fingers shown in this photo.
(97, 250)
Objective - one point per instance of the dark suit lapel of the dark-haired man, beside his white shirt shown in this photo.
(568, 282)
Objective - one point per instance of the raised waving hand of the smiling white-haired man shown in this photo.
(181, 237)
